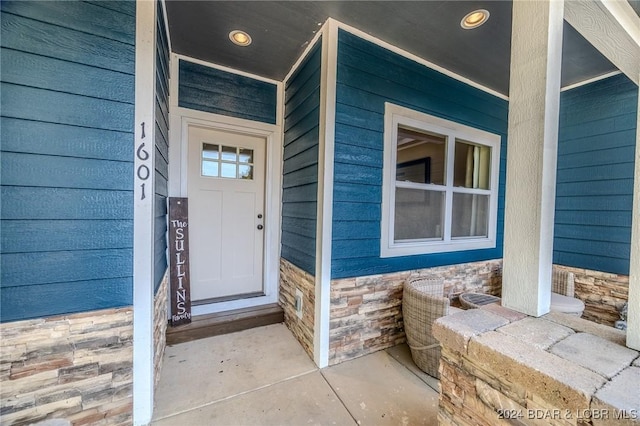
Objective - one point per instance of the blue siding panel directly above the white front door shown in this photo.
(212, 90)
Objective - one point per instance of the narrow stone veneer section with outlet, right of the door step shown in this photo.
(292, 278)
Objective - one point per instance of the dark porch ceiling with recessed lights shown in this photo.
(428, 29)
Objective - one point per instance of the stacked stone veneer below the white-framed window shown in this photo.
(366, 312)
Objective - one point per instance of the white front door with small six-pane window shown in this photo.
(226, 174)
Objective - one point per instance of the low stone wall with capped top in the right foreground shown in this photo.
(501, 367)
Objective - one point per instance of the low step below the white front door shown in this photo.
(203, 326)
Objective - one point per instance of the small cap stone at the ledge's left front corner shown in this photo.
(455, 331)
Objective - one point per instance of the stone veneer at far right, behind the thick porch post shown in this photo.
(603, 294)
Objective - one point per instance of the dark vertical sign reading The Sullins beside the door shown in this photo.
(179, 261)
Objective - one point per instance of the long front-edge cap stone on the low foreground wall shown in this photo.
(564, 384)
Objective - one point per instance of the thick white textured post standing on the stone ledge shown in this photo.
(534, 103)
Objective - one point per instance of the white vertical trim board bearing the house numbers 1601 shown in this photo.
(143, 238)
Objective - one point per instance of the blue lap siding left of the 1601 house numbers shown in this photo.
(67, 111)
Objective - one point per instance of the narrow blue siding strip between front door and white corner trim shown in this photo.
(300, 174)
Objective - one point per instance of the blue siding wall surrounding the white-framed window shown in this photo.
(369, 76)
